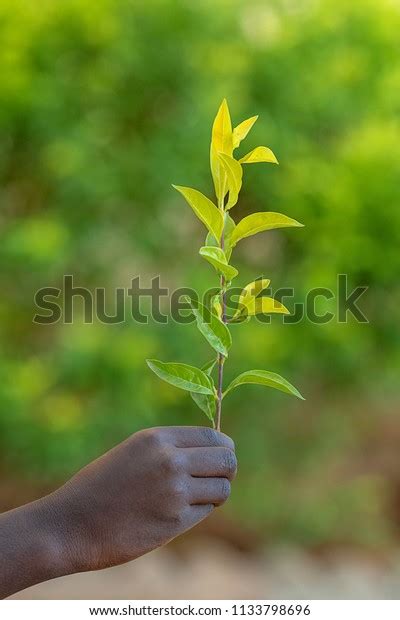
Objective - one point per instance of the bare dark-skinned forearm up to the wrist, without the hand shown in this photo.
(31, 548)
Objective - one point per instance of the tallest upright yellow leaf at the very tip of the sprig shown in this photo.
(221, 142)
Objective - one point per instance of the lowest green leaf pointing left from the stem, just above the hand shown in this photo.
(182, 376)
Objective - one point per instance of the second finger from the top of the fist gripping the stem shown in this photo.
(218, 462)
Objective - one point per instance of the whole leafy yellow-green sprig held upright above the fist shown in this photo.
(223, 235)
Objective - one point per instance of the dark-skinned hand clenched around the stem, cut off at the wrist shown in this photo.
(155, 485)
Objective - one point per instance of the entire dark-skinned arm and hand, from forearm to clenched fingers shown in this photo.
(154, 486)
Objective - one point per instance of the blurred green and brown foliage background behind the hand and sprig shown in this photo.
(104, 104)
